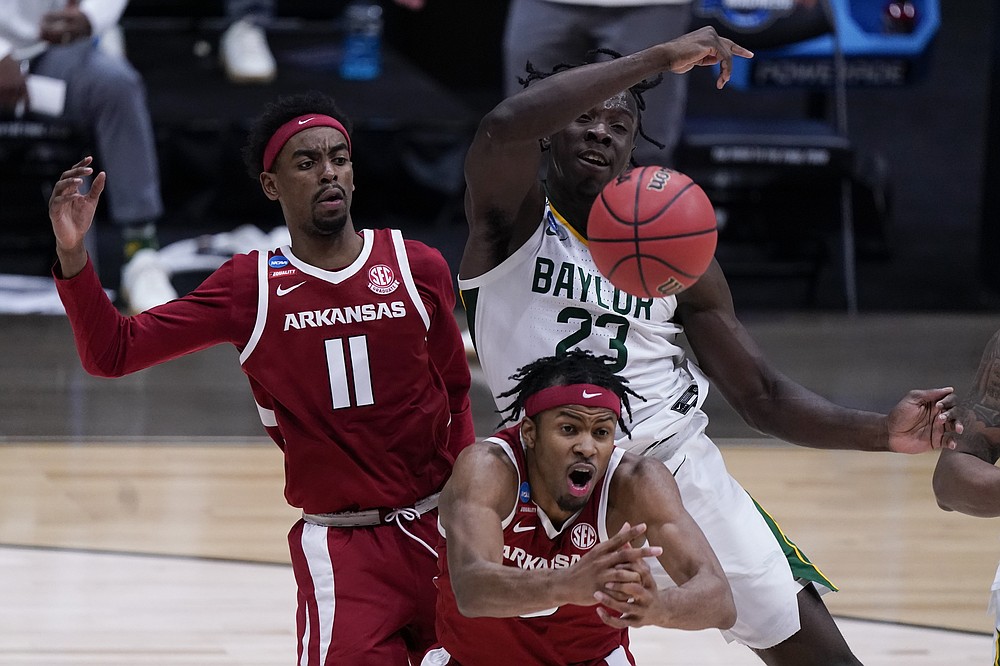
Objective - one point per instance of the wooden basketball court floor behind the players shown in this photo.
(170, 549)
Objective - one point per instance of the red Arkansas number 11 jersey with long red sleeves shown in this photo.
(359, 374)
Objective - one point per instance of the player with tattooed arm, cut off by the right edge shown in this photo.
(966, 479)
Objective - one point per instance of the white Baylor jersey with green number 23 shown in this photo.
(548, 297)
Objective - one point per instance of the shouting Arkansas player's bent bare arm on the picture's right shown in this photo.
(644, 490)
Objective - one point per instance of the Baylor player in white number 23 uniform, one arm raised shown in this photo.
(526, 269)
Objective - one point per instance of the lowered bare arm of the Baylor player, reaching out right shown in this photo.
(772, 403)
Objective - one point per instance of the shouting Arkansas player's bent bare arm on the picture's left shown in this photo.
(479, 494)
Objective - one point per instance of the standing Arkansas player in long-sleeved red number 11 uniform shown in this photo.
(349, 341)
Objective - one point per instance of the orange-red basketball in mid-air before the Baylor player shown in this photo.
(652, 232)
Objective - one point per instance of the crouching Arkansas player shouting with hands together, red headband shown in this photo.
(548, 526)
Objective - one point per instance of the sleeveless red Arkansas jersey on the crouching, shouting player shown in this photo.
(564, 635)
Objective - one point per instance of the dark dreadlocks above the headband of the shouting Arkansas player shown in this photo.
(577, 366)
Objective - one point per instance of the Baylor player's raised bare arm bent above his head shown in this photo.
(503, 198)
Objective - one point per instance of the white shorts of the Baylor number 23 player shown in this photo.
(764, 588)
